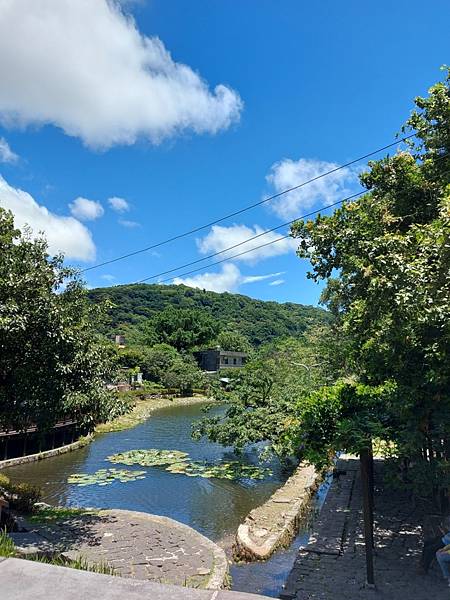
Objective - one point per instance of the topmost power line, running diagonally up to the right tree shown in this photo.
(249, 207)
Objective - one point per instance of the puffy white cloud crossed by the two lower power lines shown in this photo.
(220, 238)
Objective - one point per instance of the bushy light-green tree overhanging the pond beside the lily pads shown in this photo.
(262, 397)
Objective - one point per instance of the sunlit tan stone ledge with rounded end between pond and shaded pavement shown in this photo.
(276, 522)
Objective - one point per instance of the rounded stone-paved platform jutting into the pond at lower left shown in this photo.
(136, 545)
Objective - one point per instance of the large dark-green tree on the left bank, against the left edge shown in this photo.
(53, 365)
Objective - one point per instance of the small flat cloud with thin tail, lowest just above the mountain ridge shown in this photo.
(228, 279)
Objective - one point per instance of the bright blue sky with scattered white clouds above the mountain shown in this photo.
(186, 111)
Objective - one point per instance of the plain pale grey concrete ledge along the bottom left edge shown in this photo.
(28, 580)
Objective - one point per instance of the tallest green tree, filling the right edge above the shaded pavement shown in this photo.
(390, 250)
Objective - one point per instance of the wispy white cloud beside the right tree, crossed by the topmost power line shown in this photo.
(288, 173)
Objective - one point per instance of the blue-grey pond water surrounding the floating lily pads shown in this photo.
(214, 507)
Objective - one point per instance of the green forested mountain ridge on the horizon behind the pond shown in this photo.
(260, 321)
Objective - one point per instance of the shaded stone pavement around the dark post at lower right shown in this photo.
(332, 566)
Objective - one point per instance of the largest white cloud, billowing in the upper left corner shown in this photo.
(87, 69)
